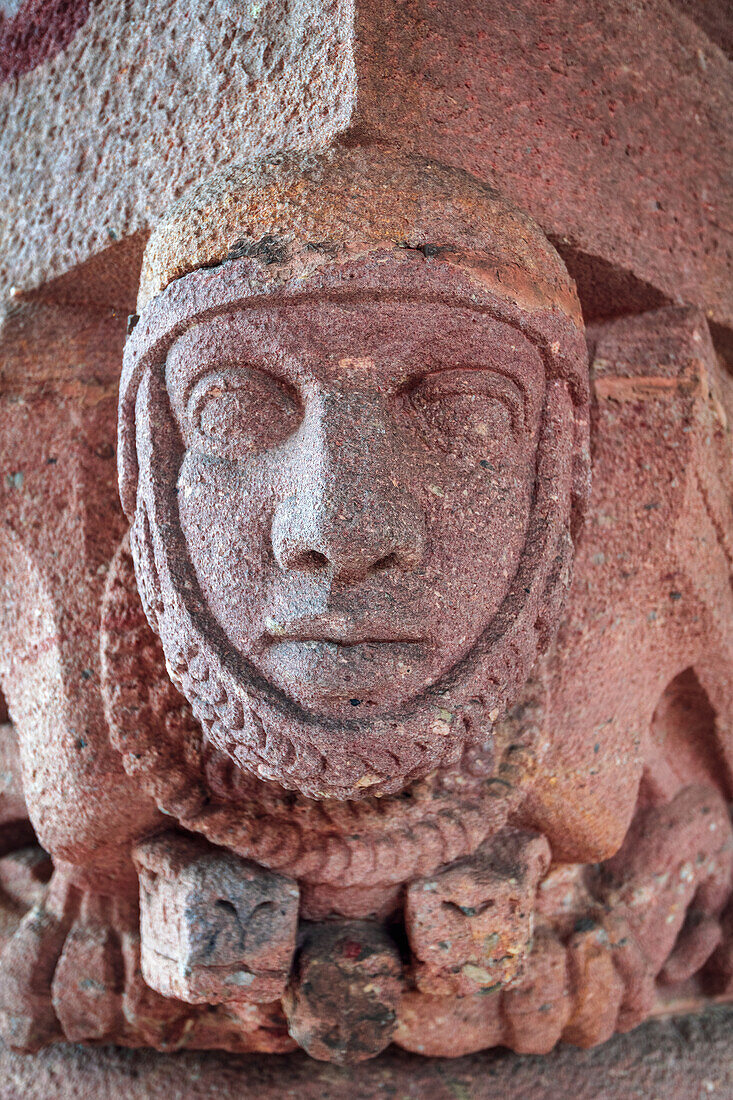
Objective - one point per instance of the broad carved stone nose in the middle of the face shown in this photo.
(347, 513)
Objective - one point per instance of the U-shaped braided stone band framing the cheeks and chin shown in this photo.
(264, 731)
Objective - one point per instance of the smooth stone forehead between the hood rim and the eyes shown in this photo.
(400, 336)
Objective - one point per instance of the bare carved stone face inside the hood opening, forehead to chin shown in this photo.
(355, 488)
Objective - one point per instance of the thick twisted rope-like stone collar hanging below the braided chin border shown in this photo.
(347, 843)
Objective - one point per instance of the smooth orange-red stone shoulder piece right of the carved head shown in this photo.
(655, 552)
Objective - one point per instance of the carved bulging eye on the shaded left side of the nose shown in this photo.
(238, 413)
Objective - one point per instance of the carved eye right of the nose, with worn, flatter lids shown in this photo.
(469, 411)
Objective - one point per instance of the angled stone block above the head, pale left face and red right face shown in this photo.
(609, 123)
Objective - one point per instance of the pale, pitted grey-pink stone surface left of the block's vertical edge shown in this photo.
(146, 98)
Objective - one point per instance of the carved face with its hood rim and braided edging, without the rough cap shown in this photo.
(354, 498)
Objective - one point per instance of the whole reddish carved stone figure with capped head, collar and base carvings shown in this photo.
(373, 763)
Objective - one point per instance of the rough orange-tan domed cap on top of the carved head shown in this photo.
(288, 213)
